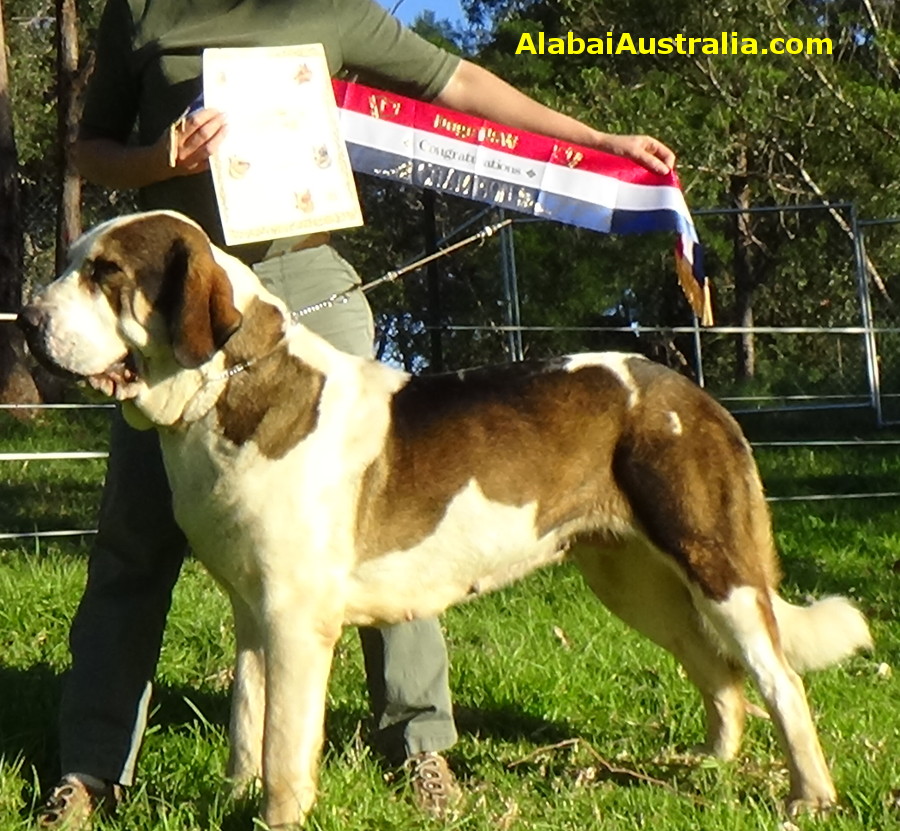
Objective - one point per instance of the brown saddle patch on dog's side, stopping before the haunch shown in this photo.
(518, 430)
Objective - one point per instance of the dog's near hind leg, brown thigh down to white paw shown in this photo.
(692, 484)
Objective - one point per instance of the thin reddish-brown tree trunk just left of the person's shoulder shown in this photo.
(69, 84)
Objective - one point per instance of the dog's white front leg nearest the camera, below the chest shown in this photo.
(299, 647)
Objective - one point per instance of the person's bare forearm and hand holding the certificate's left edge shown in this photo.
(110, 163)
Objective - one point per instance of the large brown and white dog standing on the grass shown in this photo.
(410, 494)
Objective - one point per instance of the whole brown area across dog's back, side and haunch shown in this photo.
(586, 449)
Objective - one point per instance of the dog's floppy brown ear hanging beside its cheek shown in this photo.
(198, 303)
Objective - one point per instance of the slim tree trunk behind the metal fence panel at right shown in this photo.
(743, 272)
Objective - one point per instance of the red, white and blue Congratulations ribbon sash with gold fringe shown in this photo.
(420, 144)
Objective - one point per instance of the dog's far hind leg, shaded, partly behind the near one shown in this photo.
(636, 585)
